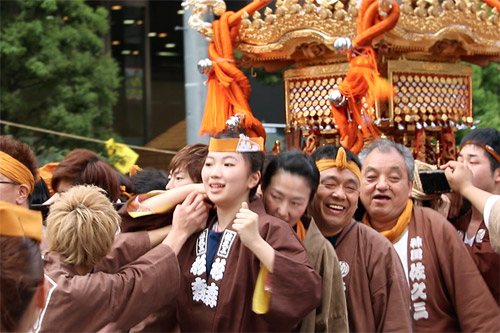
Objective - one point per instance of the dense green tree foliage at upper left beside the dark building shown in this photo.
(55, 74)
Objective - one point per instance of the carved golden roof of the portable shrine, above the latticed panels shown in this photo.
(303, 31)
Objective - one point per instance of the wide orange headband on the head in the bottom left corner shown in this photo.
(17, 221)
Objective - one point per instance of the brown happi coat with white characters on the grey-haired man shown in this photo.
(447, 291)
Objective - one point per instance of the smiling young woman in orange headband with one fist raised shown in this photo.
(247, 271)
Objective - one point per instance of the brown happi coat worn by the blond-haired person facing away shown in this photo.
(114, 300)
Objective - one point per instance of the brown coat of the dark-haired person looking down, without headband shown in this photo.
(331, 316)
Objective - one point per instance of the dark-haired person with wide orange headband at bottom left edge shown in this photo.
(21, 268)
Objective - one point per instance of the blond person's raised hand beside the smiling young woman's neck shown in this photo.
(188, 218)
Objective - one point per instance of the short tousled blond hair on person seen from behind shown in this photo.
(81, 225)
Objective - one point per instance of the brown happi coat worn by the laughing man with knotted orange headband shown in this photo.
(376, 291)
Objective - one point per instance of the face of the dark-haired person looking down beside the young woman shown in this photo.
(287, 196)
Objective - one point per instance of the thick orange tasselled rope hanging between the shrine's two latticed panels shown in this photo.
(363, 78)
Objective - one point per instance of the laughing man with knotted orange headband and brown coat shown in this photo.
(375, 290)
